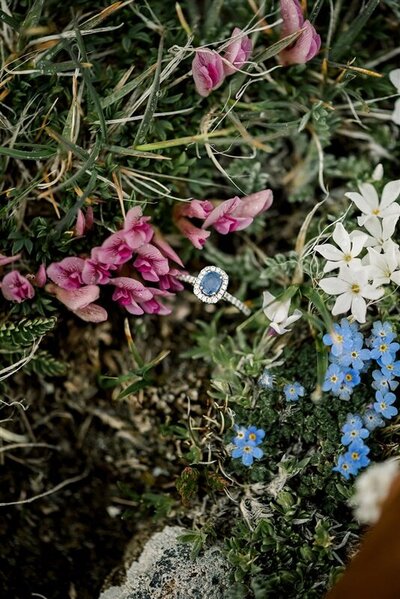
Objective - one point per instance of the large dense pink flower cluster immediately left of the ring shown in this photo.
(137, 249)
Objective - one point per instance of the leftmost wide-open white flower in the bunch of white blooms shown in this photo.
(350, 247)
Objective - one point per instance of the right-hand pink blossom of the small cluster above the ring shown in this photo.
(237, 214)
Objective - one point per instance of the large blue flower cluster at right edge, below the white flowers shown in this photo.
(348, 353)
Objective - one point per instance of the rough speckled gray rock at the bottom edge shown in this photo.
(165, 570)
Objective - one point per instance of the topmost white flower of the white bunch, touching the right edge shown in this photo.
(368, 201)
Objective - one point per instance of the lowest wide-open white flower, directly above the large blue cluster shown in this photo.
(351, 286)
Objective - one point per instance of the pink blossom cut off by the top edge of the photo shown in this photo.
(307, 44)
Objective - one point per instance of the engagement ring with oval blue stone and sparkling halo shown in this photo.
(211, 285)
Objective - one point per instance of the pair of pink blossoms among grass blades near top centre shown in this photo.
(210, 68)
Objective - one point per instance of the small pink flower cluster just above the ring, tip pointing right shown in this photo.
(232, 215)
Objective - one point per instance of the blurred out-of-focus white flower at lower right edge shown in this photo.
(371, 489)
